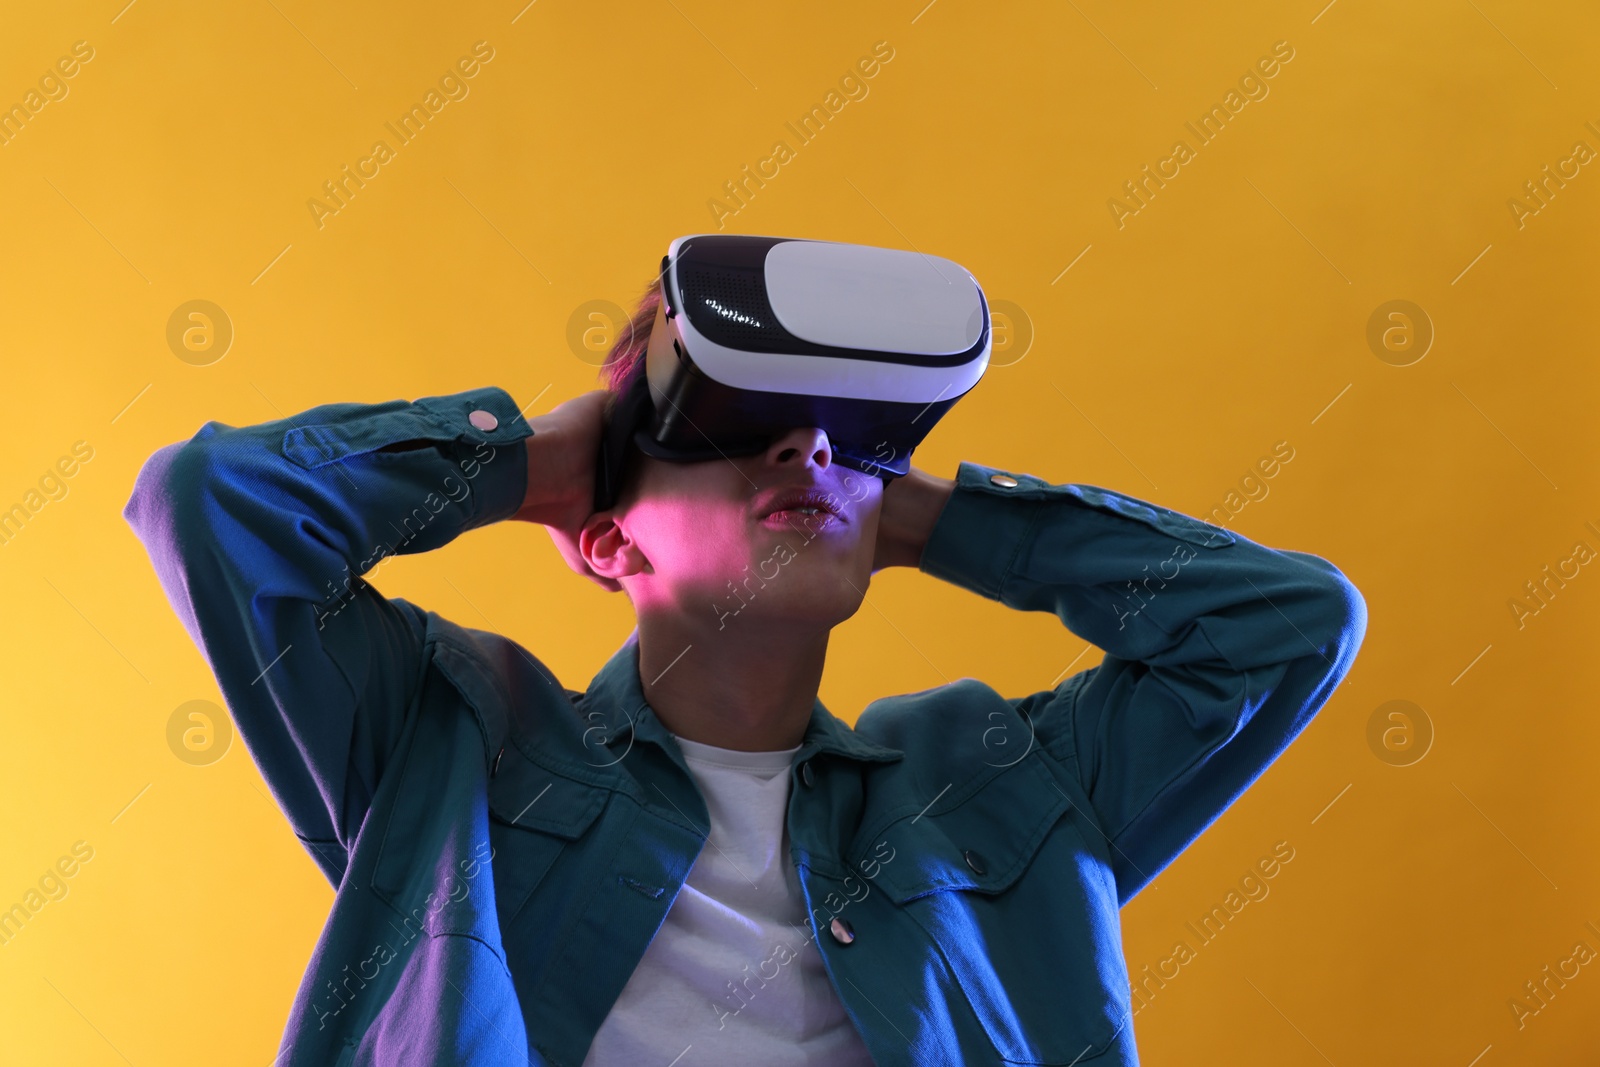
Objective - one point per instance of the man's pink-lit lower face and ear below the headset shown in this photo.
(708, 549)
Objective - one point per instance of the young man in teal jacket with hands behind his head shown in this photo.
(694, 861)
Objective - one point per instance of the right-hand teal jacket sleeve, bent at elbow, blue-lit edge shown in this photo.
(1218, 650)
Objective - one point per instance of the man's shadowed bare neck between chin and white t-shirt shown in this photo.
(750, 689)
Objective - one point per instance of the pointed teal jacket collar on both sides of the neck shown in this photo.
(617, 698)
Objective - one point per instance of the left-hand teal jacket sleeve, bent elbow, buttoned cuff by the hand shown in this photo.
(260, 537)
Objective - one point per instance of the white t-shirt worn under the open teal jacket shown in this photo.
(732, 977)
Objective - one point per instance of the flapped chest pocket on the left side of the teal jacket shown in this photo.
(535, 818)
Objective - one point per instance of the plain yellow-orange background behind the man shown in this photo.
(1174, 354)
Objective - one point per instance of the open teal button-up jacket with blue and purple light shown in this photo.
(505, 849)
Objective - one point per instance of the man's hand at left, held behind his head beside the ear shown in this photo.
(562, 457)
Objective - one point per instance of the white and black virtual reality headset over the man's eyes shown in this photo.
(761, 335)
